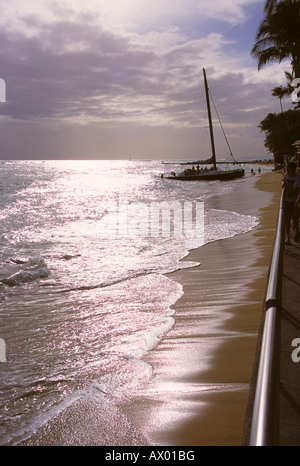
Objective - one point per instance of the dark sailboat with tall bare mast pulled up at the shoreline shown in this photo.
(214, 173)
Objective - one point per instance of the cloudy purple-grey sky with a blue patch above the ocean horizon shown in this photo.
(115, 79)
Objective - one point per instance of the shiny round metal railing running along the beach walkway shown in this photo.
(265, 416)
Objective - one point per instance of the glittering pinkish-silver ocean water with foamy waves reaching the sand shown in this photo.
(84, 249)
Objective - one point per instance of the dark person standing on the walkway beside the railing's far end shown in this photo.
(291, 182)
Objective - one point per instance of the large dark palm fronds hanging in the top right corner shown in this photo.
(278, 36)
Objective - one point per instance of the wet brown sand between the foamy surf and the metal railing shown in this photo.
(203, 366)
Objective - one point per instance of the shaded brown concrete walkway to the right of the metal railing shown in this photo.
(289, 402)
